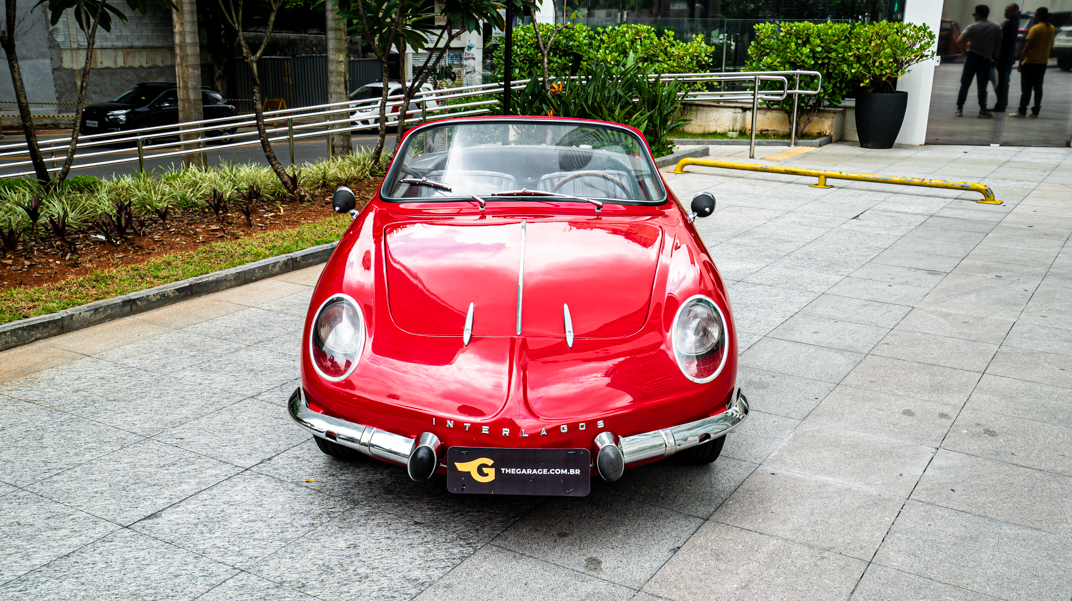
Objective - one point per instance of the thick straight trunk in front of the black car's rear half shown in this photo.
(188, 77)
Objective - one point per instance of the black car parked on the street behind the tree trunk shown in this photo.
(146, 106)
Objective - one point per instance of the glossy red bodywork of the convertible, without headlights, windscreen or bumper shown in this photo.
(414, 268)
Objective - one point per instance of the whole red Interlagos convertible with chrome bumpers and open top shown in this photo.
(523, 307)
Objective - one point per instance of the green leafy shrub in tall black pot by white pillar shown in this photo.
(884, 53)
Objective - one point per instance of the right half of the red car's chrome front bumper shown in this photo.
(671, 441)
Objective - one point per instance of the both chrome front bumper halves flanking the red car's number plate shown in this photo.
(398, 449)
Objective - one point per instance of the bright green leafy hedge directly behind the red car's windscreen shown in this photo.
(578, 48)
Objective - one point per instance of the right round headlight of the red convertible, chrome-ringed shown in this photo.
(699, 339)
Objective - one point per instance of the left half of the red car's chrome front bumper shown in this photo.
(364, 439)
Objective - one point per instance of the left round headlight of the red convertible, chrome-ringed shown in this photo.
(337, 339)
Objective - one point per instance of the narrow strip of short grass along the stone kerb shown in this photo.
(20, 304)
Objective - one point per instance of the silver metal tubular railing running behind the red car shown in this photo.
(309, 122)
